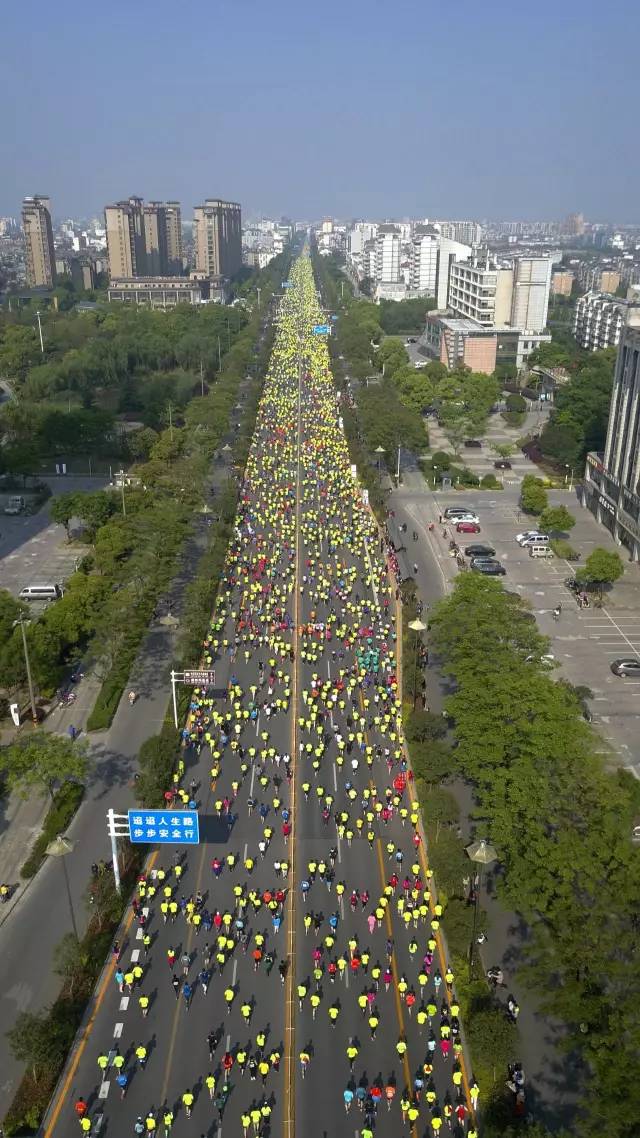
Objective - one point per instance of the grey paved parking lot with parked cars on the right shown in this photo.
(584, 641)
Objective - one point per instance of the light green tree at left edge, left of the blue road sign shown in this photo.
(43, 760)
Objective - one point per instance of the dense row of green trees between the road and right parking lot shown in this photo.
(562, 824)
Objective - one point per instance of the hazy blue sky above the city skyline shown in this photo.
(352, 109)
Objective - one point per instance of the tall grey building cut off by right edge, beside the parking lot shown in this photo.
(612, 480)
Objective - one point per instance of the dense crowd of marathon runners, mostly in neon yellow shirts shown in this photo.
(307, 740)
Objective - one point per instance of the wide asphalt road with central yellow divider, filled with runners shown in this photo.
(305, 580)
